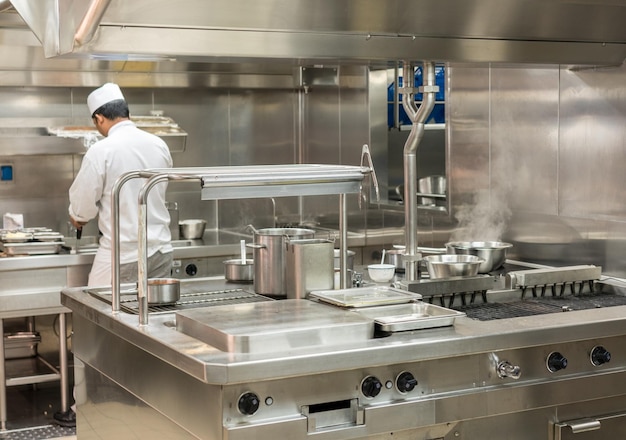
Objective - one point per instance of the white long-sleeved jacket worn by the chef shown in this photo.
(126, 148)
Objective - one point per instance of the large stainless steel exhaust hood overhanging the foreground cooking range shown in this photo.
(580, 32)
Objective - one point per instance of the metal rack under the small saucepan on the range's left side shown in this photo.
(198, 299)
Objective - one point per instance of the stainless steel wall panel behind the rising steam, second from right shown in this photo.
(524, 127)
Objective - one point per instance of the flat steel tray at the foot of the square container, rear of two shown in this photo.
(365, 296)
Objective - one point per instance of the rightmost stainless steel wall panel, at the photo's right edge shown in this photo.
(593, 151)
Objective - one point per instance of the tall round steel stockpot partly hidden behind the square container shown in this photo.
(269, 258)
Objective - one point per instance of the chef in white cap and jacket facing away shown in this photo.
(124, 148)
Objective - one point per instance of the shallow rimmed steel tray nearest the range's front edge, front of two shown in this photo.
(414, 316)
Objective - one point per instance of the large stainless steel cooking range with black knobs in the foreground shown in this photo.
(364, 363)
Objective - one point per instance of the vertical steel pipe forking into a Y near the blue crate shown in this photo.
(418, 116)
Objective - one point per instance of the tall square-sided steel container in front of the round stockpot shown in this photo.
(309, 266)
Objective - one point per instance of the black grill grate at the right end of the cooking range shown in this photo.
(540, 306)
